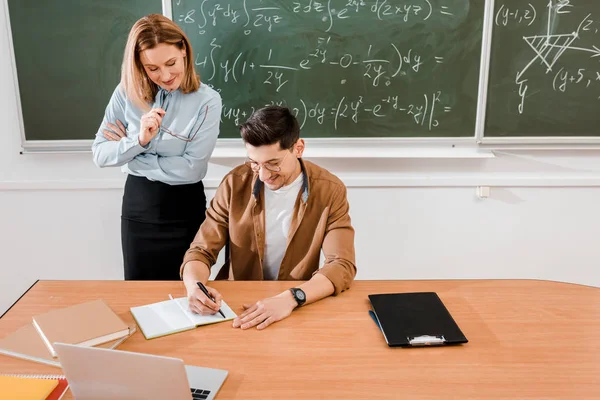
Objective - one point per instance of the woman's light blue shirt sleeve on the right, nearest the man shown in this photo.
(191, 166)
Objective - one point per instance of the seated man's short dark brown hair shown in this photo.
(270, 125)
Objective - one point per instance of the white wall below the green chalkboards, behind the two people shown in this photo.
(415, 218)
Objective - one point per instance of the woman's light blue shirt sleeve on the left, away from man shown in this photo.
(108, 153)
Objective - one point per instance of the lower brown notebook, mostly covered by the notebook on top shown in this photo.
(26, 343)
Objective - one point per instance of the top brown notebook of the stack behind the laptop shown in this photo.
(86, 324)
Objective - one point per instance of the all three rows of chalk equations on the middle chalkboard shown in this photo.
(385, 64)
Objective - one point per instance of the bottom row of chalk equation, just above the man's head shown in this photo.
(424, 112)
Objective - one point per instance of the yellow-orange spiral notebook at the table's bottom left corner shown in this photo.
(33, 387)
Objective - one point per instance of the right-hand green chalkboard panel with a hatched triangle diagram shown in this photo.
(545, 69)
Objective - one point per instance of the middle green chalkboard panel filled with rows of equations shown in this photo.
(347, 68)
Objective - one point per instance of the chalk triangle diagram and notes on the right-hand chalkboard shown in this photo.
(548, 49)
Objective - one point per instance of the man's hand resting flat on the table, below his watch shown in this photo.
(264, 312)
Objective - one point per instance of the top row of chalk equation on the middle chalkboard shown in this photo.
(260, 17)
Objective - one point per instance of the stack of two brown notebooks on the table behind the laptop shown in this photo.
(87, 324)
